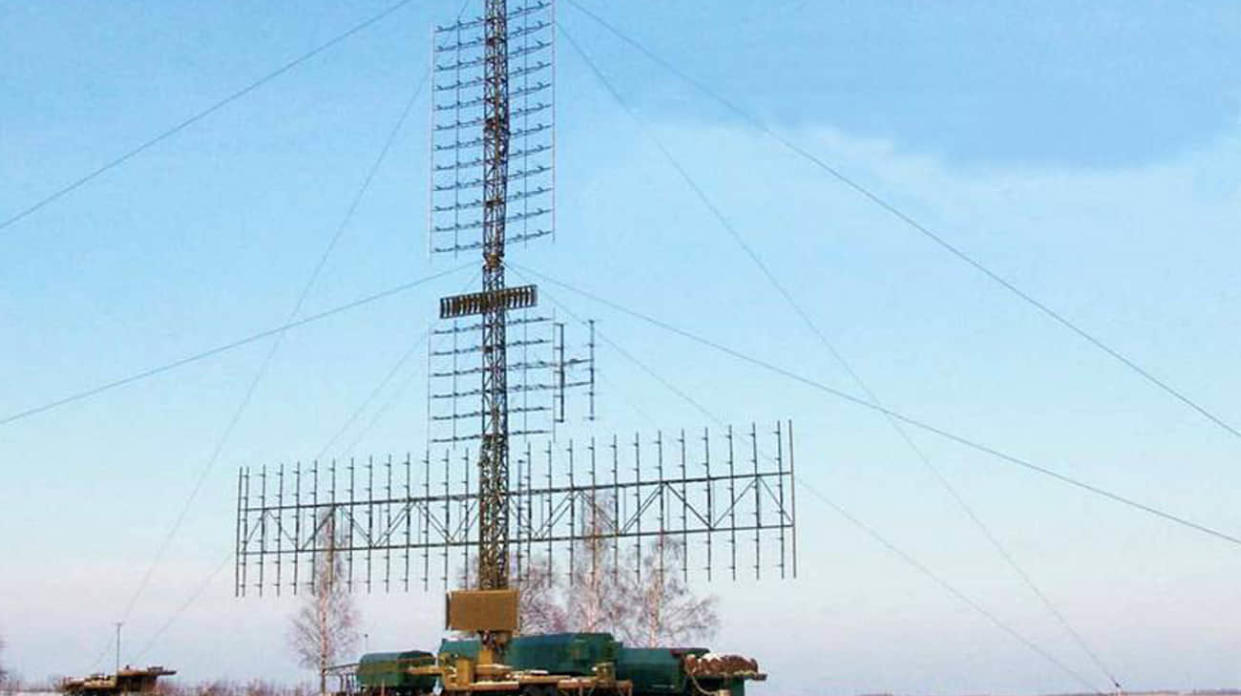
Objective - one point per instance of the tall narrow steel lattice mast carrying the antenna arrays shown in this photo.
(493, 465)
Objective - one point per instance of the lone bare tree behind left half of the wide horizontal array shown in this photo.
(325, 630)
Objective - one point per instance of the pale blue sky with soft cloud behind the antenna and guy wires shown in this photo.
(1089, 154)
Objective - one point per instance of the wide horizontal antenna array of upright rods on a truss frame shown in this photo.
(729, 498)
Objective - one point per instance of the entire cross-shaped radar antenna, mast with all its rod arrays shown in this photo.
(498, 377)
